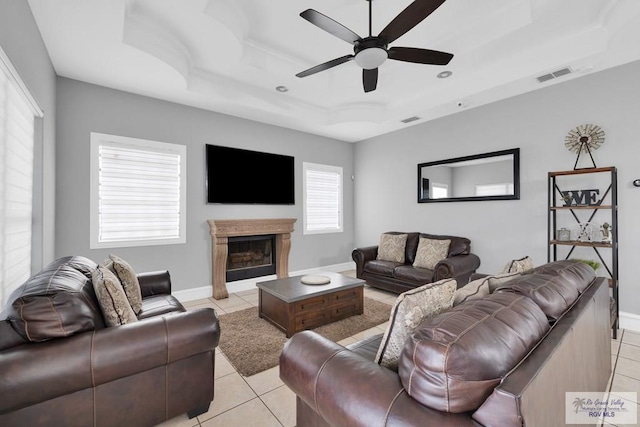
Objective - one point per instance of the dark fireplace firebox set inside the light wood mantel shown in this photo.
(250, 256)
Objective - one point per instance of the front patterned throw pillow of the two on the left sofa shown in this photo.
(113, 301)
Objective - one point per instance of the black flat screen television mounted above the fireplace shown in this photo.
(238, 176)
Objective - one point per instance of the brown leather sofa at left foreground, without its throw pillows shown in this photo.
(60, 365)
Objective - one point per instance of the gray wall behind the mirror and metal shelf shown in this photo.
(536, 122)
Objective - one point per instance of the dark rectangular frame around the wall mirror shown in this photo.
(515, 152)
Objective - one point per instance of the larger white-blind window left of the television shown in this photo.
(138, 192)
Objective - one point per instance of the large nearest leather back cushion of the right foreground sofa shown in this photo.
(453, 361)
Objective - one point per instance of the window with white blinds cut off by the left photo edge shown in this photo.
(18, 111)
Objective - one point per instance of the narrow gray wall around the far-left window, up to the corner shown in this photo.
(21, 41)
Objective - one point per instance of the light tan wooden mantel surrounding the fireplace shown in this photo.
(222, 229)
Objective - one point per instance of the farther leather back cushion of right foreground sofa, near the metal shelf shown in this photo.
(554, 293)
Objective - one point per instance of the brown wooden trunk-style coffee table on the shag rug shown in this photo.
(293, 306)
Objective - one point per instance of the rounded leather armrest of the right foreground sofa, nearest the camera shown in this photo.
(347, 390)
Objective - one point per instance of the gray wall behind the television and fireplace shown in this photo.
(83, 108)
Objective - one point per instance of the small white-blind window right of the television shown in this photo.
(322, 195)
